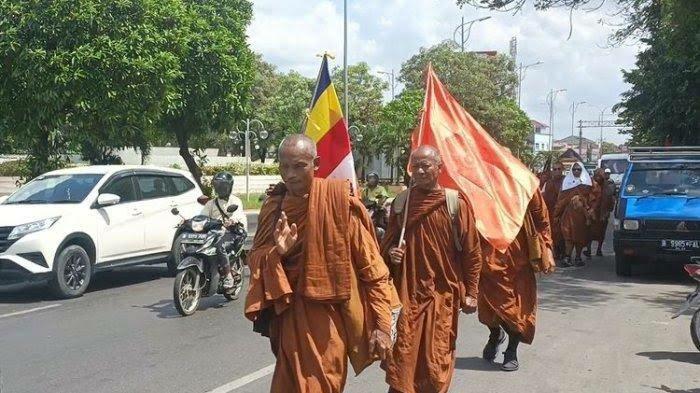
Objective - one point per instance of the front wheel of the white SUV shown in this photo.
(72, 272)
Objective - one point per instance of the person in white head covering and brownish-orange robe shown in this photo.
(573, 212)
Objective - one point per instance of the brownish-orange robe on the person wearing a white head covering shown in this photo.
(574, 219)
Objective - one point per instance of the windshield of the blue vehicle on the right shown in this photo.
(649, 181)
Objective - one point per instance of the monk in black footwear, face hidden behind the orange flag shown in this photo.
(508, 288)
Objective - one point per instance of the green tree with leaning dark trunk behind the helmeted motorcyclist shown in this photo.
(216, 73)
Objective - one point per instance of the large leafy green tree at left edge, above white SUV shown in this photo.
(92, 76)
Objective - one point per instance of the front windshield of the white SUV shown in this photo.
(55, 189)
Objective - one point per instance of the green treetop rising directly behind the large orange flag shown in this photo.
(481, 85)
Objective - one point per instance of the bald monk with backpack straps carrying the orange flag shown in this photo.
(436, 272)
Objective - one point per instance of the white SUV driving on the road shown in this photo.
(66, 225)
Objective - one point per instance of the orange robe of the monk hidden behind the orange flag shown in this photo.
(507, 287)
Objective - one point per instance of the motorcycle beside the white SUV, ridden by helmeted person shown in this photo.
(198, 273)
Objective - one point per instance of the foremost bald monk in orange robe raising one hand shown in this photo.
(315, 266)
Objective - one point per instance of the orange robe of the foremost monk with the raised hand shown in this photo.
(311, 337)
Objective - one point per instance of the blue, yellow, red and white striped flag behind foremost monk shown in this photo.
(326, 125)
